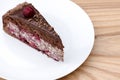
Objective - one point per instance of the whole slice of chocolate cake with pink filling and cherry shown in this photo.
(25, 23)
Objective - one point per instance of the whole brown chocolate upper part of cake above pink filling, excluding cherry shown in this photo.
(36, 22)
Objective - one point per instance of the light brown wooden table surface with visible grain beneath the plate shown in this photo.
(104, 61)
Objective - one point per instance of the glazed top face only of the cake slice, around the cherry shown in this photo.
(38, 20)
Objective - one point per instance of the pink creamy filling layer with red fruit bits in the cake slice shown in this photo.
(35, 41)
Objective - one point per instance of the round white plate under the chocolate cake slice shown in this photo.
(21, 62)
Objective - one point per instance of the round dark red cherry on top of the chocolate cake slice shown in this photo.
(28, 12)
